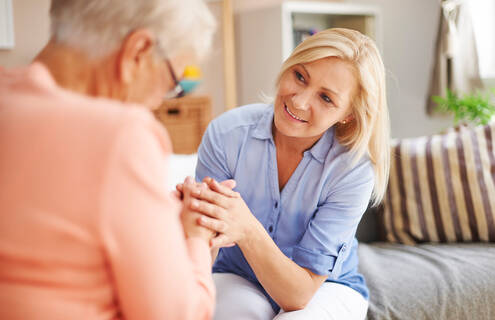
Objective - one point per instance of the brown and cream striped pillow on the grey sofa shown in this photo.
(442, 188)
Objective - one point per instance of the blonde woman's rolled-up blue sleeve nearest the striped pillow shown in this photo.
(329, 235)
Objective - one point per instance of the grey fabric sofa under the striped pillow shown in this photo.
(426, 281)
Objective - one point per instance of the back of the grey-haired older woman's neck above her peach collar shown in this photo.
(75, 71)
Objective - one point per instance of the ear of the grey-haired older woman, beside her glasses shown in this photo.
(136, 48)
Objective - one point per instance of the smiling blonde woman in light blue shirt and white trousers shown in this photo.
(306, 168)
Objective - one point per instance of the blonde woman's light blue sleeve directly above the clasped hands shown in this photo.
(211, 156)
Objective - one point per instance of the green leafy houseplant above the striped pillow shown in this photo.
(474, 108)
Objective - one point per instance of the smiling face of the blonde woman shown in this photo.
(314, 96)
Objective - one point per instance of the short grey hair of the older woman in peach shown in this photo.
(99, 26)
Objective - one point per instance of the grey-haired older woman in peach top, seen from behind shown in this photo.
(87, 228)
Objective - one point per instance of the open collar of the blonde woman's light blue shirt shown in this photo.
(319, 151)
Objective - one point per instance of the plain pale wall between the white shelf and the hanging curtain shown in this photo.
(409, 35)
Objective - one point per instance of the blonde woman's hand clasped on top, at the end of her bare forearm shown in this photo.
(224, 211)
